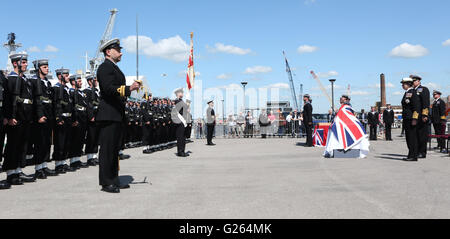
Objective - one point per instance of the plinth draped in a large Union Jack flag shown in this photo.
(346, 133)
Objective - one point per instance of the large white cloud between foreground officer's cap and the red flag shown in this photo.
(172, 48)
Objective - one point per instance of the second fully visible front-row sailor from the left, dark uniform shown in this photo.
(43, 127)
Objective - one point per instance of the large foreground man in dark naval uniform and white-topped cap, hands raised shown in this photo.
(111, 115)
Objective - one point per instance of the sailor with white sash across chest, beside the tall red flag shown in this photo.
(179, 115)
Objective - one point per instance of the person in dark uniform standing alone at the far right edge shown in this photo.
(438, 117)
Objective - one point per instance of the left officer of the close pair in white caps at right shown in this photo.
(410, 115)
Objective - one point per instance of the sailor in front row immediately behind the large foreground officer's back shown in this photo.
(93, 100)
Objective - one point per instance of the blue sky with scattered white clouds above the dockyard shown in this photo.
(352, 41)
